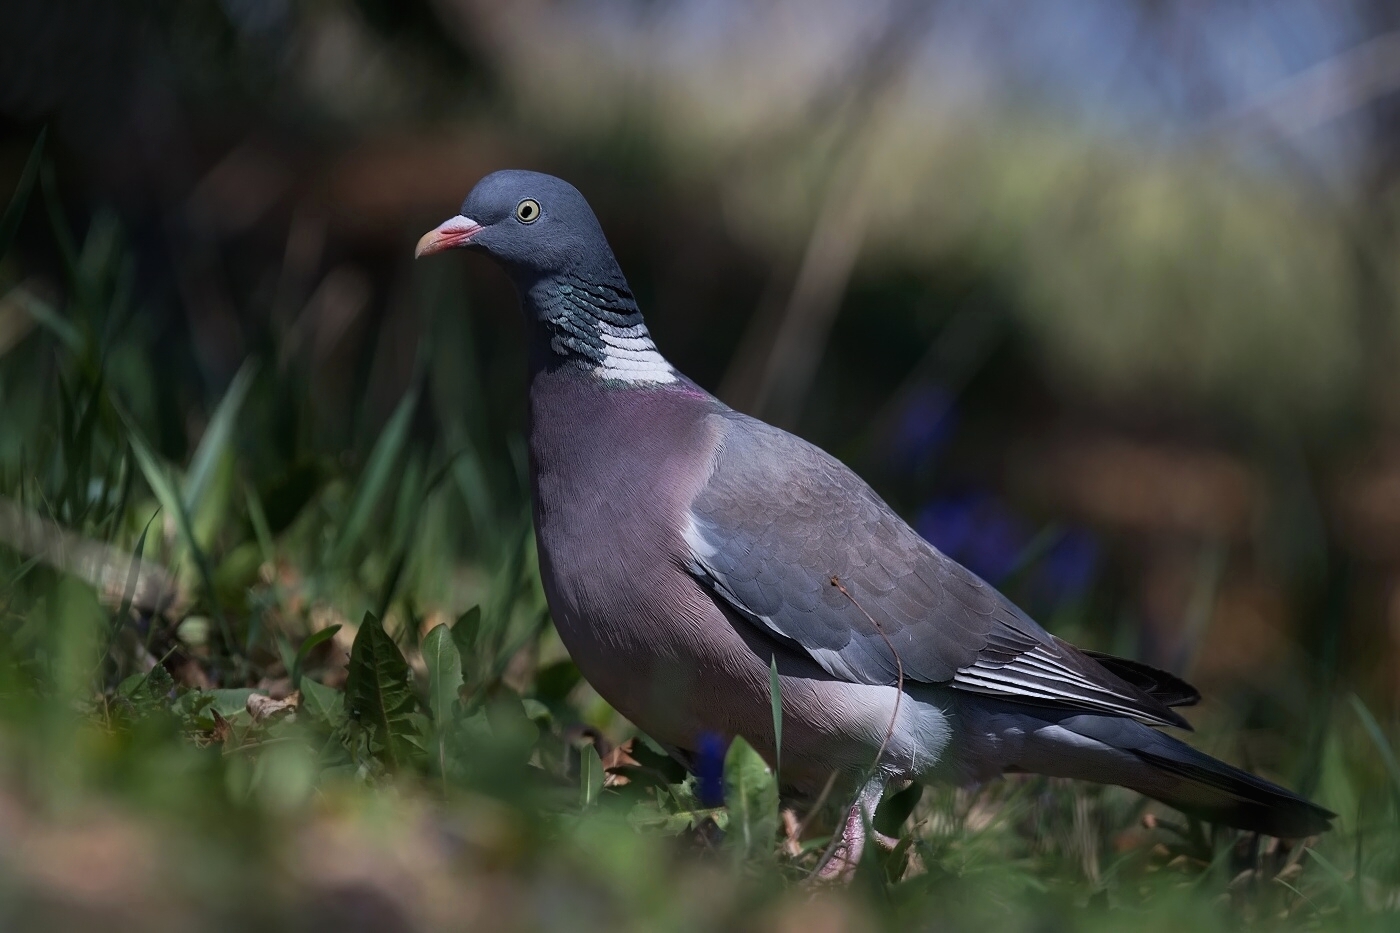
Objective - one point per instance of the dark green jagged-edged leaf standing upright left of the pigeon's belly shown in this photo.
(379, 694)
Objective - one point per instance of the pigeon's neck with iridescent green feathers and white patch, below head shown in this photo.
(596, 327)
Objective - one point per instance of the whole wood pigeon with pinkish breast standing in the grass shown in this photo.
(685, 547)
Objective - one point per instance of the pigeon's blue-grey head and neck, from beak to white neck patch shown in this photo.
(582, 313)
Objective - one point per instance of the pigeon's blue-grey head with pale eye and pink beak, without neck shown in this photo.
(535, 226)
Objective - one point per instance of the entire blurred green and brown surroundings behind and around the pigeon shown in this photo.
(1102, 295)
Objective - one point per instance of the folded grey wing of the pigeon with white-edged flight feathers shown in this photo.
(779, 520)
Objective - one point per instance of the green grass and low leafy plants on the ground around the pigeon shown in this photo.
(436, 761)
